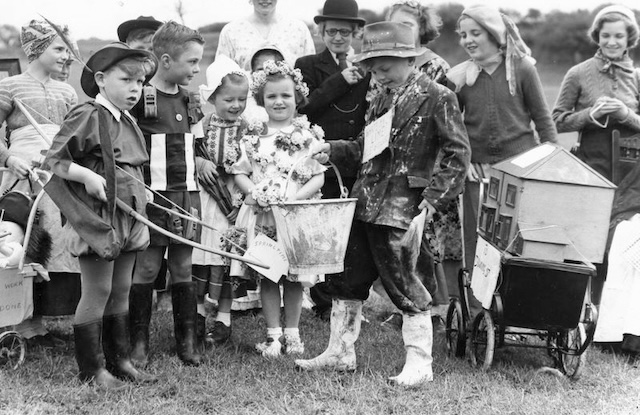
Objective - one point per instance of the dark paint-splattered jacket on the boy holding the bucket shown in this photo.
(427, 120)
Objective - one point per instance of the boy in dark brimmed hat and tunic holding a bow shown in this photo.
(94, 138)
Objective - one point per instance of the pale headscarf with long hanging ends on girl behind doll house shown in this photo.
(505, 31)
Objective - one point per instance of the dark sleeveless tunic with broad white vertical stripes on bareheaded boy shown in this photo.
(170, 143)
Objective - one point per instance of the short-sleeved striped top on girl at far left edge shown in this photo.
(47, 102)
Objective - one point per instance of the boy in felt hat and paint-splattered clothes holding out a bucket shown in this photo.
(408, 123)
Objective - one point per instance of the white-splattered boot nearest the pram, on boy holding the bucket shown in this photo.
(417, 333)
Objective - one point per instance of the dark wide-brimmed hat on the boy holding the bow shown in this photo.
(105, 58)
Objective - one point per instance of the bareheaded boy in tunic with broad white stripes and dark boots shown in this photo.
(170, 118)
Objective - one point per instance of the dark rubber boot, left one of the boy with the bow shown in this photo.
(90, 358)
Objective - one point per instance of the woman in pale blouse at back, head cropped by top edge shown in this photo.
(240, 38)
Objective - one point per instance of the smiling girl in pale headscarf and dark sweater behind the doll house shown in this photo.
(500, 93)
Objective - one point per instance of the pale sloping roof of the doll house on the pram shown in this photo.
(552, 163)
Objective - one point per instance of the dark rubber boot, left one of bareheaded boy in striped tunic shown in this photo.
(140, 302)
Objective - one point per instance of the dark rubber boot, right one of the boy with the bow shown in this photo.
(115, 342)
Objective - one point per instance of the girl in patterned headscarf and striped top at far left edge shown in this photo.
(48, 101)
